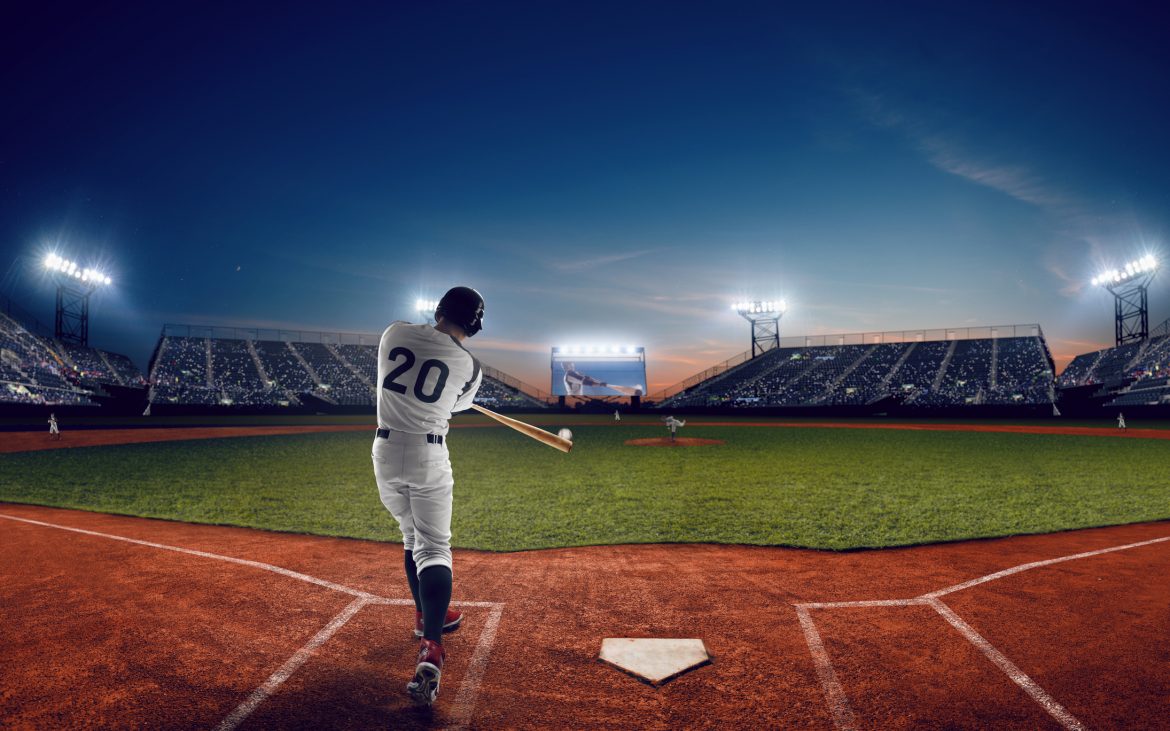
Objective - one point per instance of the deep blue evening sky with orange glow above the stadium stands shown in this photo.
(602, 173)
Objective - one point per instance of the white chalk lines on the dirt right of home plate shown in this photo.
(835, 695)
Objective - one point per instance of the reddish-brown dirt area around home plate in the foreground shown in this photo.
(121, 622)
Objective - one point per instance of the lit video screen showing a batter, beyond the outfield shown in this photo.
(598, 371)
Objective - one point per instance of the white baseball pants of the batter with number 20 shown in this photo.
(416, 486)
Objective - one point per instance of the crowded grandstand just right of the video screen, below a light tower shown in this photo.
(926, 374)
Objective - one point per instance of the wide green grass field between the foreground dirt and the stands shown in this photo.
(801, 487)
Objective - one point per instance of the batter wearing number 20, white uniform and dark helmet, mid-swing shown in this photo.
(424, 377)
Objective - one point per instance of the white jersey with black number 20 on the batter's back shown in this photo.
(424, 377)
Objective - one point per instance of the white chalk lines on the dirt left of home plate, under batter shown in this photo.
(469, 689)
